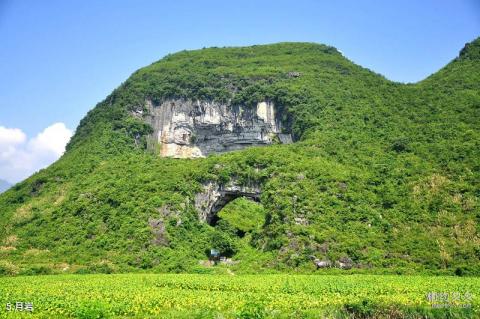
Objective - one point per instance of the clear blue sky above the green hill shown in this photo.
(59, 58)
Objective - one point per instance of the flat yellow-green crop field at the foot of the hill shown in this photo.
(245, 296)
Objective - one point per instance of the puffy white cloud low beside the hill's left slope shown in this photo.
(20, 158)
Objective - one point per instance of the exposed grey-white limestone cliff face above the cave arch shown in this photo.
(188, 129)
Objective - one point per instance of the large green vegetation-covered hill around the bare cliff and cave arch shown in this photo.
(383, 176)
